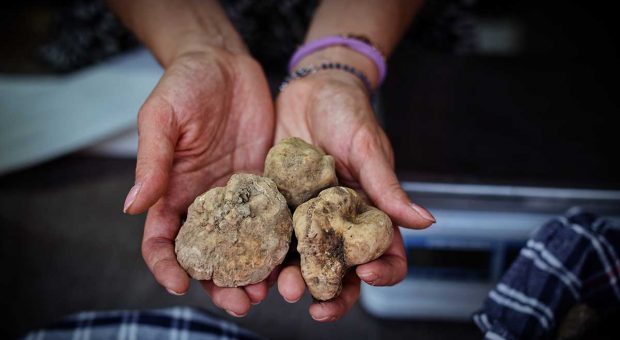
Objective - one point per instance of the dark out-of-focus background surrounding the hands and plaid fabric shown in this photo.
(500, 114)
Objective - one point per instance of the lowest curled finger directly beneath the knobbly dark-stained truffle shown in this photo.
(334, 309)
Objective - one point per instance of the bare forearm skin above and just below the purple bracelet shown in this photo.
(382, 21)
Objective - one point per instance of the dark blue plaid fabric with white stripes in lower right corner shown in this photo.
(572, 259)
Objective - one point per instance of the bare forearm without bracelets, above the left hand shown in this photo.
(170, 28)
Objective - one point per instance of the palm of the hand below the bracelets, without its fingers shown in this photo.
(338, 117)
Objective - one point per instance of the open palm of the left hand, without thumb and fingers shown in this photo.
(225, 124)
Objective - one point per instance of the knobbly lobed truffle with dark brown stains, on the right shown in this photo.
(335, 231)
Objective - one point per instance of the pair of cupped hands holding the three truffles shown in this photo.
(212, 115)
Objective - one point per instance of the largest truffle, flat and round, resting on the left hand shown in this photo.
(237, 234)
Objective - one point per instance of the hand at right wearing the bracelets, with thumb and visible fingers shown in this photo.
(331, 109)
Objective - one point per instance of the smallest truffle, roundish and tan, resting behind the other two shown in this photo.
(300, 170)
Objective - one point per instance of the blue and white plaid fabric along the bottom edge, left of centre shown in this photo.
(183, 323)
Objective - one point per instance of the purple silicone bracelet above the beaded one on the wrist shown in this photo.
(355, 44)
